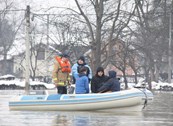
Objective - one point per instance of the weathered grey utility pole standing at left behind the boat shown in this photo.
(27, 43)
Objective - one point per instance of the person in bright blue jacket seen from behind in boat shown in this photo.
(82, 84)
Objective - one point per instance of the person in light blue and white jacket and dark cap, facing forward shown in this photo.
(80, 63)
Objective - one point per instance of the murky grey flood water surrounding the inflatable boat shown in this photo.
(159, 113)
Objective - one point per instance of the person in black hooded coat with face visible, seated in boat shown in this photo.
(98, 80)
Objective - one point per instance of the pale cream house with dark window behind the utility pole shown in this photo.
(41, 65)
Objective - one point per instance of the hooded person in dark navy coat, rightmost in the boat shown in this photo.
(111, 85)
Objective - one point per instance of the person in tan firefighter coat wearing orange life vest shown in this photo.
(61, 73)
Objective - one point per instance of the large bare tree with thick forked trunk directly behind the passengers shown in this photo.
(107, 27)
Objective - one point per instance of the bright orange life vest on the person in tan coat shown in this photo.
(65, 65)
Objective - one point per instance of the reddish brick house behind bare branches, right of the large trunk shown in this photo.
(117, 59)
